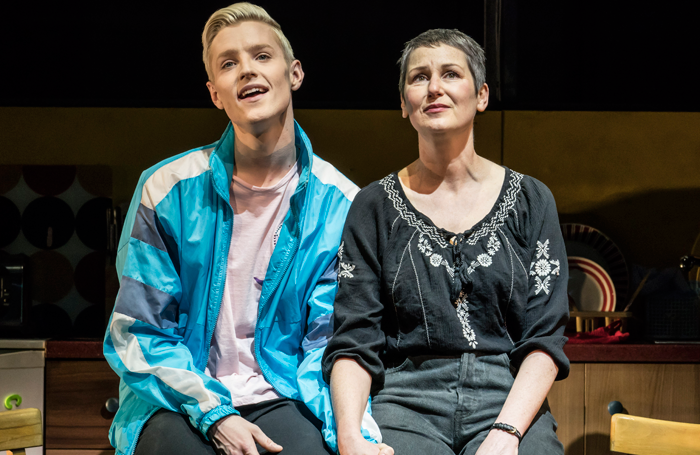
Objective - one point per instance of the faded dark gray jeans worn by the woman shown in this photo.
(445, 405)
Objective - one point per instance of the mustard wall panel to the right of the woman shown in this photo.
(633, 175)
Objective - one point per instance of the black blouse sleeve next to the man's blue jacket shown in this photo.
(358, 310)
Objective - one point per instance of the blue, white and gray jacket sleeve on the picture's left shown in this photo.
(144, 343)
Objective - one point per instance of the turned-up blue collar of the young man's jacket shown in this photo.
(221, 161)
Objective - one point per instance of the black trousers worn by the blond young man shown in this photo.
(287, 422)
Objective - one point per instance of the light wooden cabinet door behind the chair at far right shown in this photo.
(656, 391)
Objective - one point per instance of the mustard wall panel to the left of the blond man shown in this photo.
(128, 140)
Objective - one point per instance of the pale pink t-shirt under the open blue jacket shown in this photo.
(258, 216)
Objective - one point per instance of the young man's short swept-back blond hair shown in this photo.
(233, 14)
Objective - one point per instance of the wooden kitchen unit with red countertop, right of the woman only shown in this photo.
(654, 381)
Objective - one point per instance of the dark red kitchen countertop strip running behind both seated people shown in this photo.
(577, 353)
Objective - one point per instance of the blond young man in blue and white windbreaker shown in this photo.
(227, 268)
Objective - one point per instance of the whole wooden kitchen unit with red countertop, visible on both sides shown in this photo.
(656, 381)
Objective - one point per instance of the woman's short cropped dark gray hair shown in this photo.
(434, 38)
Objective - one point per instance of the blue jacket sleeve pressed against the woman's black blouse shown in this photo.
(313, 389)
